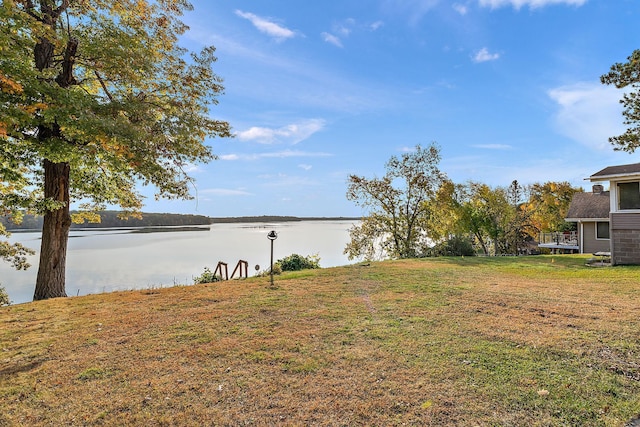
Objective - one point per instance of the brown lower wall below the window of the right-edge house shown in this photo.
(625, 238)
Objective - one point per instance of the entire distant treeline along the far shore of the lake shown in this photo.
(109, 219)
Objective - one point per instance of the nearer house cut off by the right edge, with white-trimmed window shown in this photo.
(624, 211)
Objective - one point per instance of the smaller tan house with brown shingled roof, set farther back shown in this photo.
(591, 213)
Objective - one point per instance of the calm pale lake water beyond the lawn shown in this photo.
(109, 260)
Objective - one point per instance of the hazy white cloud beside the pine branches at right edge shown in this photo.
(588, 113)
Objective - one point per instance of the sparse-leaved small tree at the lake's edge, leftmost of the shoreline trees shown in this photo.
(398, 203)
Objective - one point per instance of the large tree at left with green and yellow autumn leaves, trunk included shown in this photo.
(98, 97)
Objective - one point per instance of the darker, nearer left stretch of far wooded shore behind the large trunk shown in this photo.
(109, 219)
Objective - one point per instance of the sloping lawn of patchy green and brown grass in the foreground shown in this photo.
(473, 341)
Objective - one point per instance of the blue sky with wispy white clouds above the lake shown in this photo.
(317, 91)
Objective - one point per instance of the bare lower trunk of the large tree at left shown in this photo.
(50, 282)
